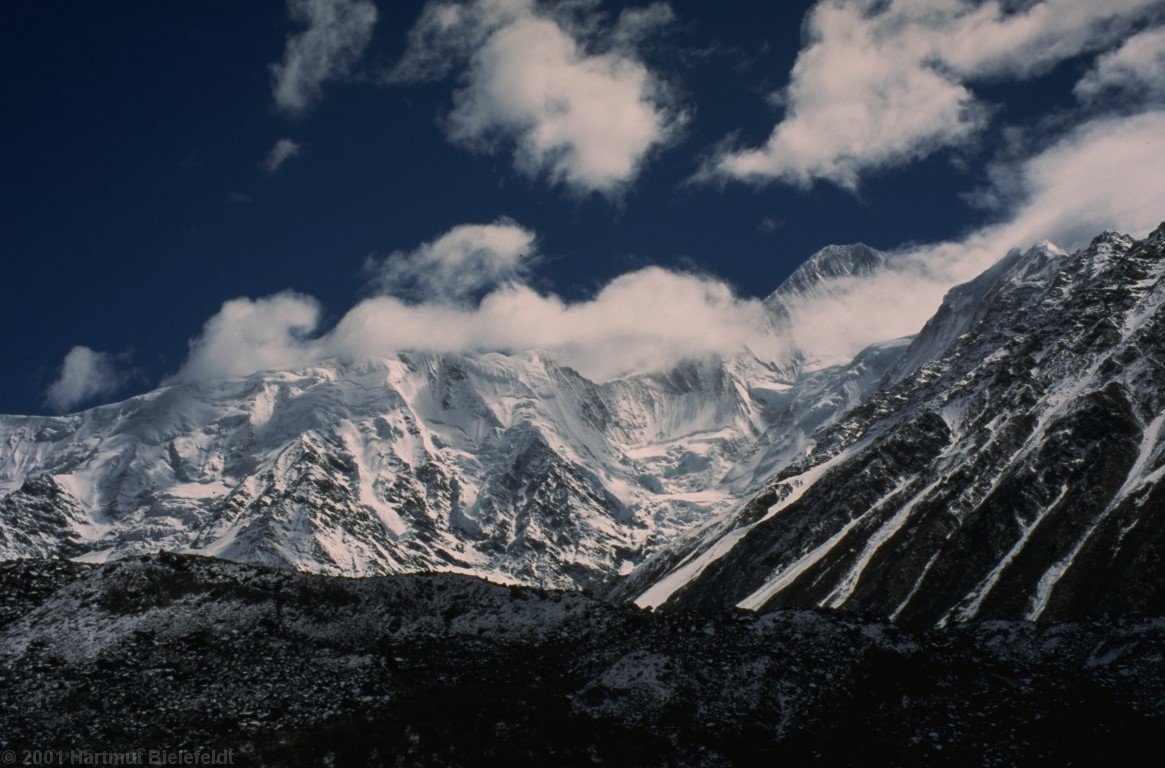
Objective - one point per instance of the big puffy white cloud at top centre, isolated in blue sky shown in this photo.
(574, 105)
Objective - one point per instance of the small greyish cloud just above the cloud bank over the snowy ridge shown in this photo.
(460, 265)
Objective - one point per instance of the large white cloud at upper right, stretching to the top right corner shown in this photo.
(880, 83)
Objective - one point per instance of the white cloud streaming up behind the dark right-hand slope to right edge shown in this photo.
(1108, 174)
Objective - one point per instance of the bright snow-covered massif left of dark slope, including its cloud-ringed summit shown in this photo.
(507, 467)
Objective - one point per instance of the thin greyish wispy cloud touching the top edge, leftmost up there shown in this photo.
(336, 37)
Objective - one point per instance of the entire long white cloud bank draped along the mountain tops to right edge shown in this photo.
(1106, 175)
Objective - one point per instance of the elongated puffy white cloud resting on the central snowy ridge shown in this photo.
(642, 321)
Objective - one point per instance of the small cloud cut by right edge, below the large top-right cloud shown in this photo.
(1136, 69)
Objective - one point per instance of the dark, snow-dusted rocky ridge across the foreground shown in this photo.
(293, 670)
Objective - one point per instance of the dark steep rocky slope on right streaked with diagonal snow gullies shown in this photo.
(1011, 466)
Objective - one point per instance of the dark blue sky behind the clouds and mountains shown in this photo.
(133, 203)
